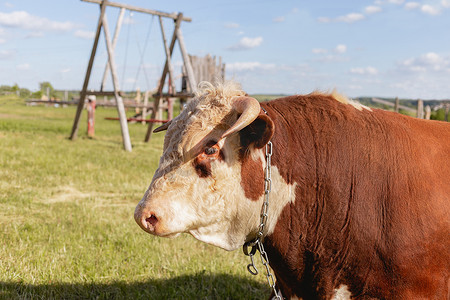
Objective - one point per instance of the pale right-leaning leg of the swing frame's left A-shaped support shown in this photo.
(119, 101)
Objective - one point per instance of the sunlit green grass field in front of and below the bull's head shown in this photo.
(66, 217)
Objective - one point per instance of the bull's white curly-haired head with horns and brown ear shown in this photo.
(207, 180)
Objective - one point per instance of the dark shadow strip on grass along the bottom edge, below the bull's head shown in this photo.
(198, 286)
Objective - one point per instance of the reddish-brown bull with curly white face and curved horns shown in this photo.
(360, 201)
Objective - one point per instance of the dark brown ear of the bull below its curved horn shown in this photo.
(258, 133)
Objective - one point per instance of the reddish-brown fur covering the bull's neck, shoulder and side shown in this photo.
(372, 201)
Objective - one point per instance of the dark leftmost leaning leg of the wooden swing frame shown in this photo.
(80, 106)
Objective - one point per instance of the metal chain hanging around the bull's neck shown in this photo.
(257, 244)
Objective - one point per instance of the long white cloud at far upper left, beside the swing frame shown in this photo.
(22, 19)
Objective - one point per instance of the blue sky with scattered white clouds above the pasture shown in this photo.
(383, 48)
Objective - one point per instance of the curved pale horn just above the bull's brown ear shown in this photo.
(249, 109)
